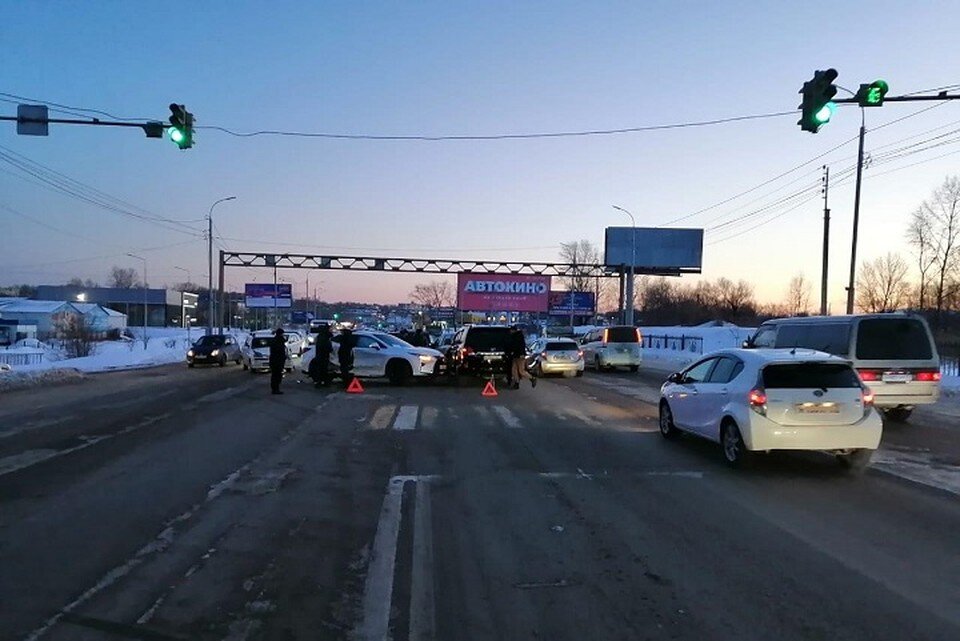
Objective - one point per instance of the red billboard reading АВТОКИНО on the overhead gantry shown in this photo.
(502, 293)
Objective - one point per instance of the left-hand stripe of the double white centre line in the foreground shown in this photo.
(378, 591)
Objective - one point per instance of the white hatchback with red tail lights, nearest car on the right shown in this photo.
(751, 400)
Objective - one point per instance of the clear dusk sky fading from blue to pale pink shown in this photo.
(465, 68)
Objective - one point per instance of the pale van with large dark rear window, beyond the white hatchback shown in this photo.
(893, 353)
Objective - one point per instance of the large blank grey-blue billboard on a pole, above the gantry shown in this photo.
(655, 250)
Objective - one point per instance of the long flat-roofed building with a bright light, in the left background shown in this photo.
(164, 306)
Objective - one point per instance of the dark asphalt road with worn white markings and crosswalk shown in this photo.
(176, 504)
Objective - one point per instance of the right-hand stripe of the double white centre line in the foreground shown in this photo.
(422, 617)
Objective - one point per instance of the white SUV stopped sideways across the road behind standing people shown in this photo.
(378, 354)
